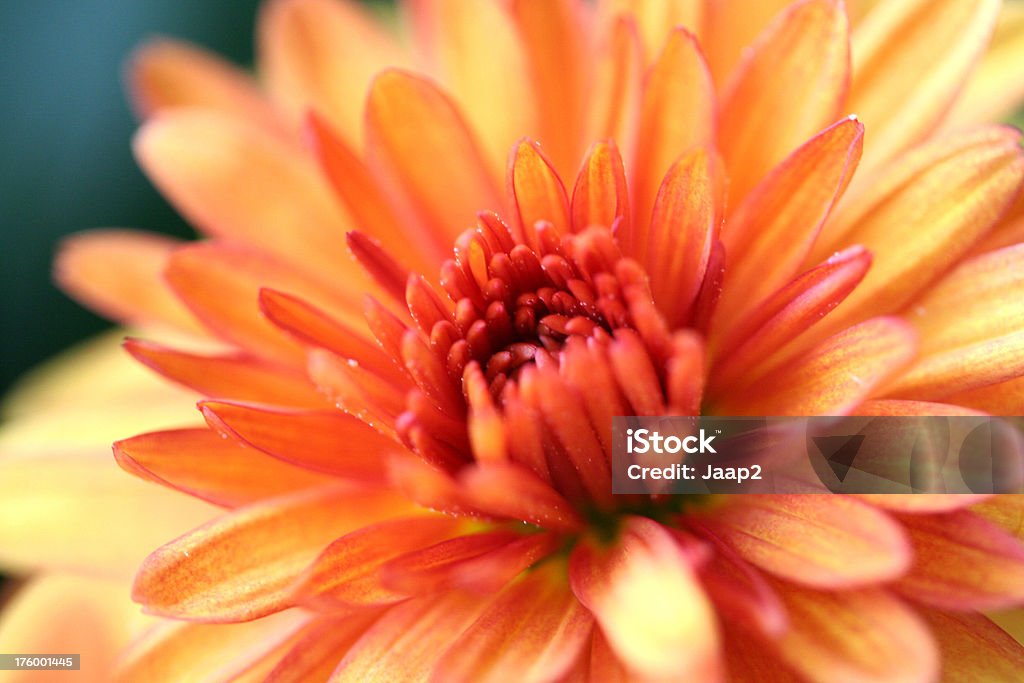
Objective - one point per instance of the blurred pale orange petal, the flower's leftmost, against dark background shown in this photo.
(120, 275)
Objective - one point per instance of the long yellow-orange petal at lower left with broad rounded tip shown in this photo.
(241, 567)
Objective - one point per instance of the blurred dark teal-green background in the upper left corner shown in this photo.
(66, 161)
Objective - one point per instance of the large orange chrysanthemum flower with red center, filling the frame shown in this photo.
(420, 337)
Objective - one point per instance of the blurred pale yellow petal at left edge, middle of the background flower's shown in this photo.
(58, 511)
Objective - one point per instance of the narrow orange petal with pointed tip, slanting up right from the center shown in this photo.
(774, 230)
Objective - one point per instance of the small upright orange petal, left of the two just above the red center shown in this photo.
(538, 192)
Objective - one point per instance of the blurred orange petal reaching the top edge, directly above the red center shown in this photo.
(550, 34)
